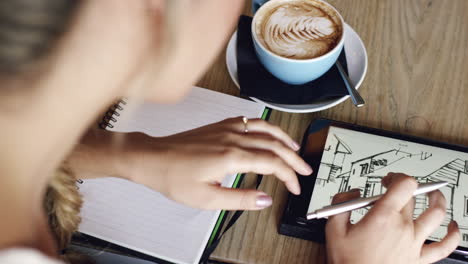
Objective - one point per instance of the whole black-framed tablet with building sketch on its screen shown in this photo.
(346, 156)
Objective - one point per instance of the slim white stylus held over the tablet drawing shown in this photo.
(364, 202)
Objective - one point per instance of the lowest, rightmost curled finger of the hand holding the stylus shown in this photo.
(436, 251)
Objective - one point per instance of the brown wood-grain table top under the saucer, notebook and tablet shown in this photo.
(416, 83)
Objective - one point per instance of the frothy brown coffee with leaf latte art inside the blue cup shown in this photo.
(299, 29)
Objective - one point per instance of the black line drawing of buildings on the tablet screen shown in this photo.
(341, 171)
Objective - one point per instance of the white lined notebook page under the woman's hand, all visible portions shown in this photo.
(141, 219)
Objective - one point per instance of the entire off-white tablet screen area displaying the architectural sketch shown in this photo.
(354, 159)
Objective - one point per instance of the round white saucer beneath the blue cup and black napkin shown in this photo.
(356, 57)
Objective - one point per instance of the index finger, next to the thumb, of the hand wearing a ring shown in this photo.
(264, 162)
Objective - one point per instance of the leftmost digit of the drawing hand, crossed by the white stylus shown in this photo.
(339, 224)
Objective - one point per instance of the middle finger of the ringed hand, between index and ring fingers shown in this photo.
(264, 142)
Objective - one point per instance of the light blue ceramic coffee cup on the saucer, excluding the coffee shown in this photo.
(289, 70)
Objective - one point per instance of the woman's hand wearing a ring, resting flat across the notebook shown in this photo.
(189, 167)
